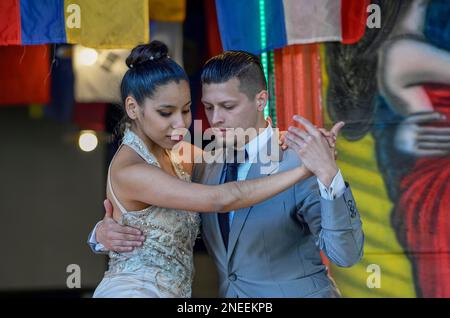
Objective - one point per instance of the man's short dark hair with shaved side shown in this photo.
(240, 64)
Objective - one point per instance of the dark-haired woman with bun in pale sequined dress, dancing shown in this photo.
(152, 193)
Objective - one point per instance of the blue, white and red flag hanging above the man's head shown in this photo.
(288, 22)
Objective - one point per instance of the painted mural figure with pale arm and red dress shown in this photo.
(414, 79)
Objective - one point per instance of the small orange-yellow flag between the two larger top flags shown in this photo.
(167, 10)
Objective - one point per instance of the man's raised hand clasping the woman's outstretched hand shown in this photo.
(313, 149)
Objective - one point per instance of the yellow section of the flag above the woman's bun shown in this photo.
(107, 23)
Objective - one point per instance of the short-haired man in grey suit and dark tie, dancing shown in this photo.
(271, 249)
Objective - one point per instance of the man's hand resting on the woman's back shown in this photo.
(116, 237)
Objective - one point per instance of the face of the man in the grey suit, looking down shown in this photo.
(226, 107)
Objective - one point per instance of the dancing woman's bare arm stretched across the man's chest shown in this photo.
(151, 185)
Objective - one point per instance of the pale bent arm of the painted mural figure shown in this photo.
(407, 61)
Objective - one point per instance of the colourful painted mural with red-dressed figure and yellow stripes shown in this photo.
(392, 89)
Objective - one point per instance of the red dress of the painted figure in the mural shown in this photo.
(424, 207)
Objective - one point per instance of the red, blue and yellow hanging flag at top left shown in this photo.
(99, 23)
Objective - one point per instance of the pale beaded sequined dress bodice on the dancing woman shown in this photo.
(166, 256)
